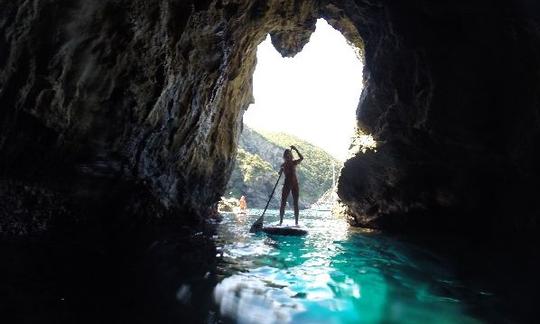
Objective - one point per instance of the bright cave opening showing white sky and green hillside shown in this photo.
(309, 101)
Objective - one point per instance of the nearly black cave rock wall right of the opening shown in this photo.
(452, 98)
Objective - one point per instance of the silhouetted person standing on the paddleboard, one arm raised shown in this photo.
(291, 182)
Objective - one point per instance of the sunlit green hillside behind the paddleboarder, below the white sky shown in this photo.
(258, 161)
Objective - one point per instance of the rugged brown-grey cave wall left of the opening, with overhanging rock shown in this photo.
(118, 103)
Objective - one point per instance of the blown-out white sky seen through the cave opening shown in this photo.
(313, 95)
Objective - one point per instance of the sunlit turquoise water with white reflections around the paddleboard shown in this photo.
(335, 274)
